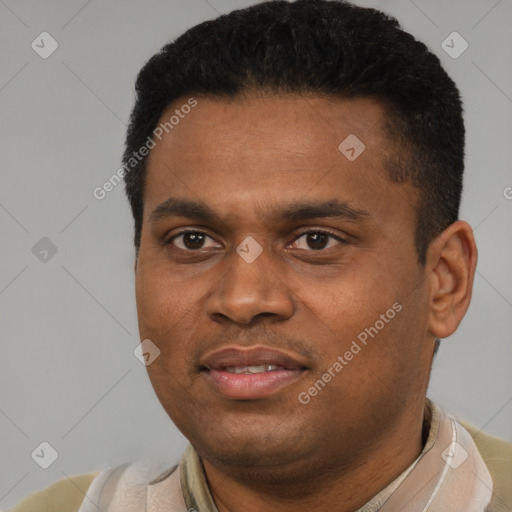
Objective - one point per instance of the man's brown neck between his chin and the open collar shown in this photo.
(343, 488)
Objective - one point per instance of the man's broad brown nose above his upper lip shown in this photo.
(250, 290)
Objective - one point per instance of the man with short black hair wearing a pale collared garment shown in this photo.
(295, 173)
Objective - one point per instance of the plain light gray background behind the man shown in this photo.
(68, 375)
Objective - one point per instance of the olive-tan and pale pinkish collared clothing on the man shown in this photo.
(453, 473)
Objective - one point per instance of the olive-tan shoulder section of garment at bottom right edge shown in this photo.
(497, 455)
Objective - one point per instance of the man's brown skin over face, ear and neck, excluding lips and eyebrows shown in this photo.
(246, 159)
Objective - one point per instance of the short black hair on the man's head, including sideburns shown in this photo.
(321, 47)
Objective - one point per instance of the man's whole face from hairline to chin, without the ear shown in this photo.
(298, 257)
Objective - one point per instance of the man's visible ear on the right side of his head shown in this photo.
(451, 259)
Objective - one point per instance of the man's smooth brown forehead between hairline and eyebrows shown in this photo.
(236, 154)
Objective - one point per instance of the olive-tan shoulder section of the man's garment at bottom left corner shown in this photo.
(65, 495)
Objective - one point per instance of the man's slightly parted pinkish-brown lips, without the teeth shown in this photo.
(251, 386)
